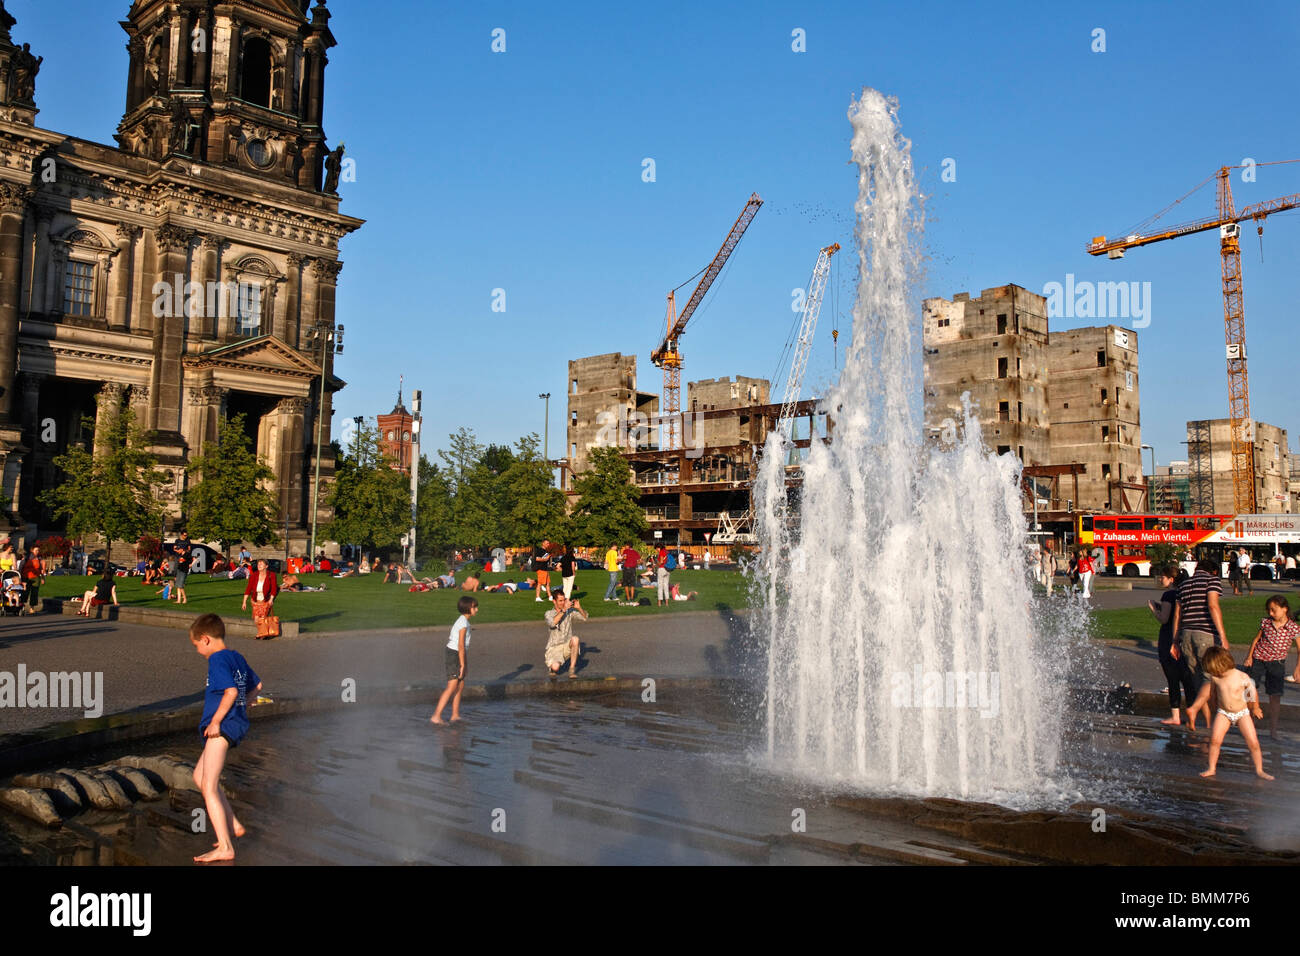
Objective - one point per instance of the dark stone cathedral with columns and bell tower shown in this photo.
(188, 272)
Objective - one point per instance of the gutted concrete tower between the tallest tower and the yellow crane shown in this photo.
(1095, 414)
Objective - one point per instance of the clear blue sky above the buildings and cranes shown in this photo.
(523, 171)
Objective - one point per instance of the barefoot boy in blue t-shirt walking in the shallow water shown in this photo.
(224, 725)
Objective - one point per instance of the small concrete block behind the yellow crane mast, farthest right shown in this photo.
(1210, 460)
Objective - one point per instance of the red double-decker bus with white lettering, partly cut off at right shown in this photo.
(1124, 539)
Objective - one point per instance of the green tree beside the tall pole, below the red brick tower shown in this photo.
(371, 500)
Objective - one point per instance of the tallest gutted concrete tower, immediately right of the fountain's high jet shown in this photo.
(995, 348)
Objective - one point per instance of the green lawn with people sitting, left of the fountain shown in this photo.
(357, 604)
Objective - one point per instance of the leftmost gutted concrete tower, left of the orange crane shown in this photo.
(605, 408)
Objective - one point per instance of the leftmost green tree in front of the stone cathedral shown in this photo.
(115, 494)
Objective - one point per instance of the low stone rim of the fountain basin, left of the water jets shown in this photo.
(57, 743)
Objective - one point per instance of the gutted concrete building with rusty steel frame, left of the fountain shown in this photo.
(684, 491)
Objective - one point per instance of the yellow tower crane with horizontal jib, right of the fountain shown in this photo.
(1234, 306)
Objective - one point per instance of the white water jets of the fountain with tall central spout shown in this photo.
(904, 650)
